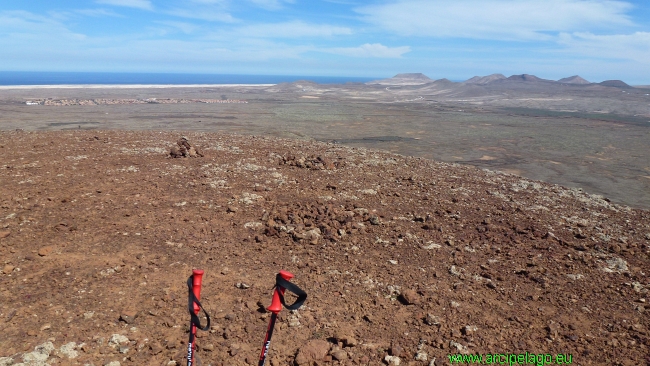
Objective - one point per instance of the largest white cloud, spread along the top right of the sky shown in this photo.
(496, 19)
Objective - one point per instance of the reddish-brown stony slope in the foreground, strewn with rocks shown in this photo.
(405, 260)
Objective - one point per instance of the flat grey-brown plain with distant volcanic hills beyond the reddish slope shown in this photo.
(593, 136)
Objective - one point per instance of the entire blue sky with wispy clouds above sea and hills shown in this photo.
(456, 39)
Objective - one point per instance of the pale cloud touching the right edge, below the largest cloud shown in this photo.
(634, 47)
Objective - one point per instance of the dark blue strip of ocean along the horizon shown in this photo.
(84, 78)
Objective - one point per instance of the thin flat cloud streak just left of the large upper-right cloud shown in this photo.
(293, 29)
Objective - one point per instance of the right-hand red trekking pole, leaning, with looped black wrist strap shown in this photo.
(281, 284)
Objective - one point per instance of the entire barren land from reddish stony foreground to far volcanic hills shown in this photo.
(406, 260)
